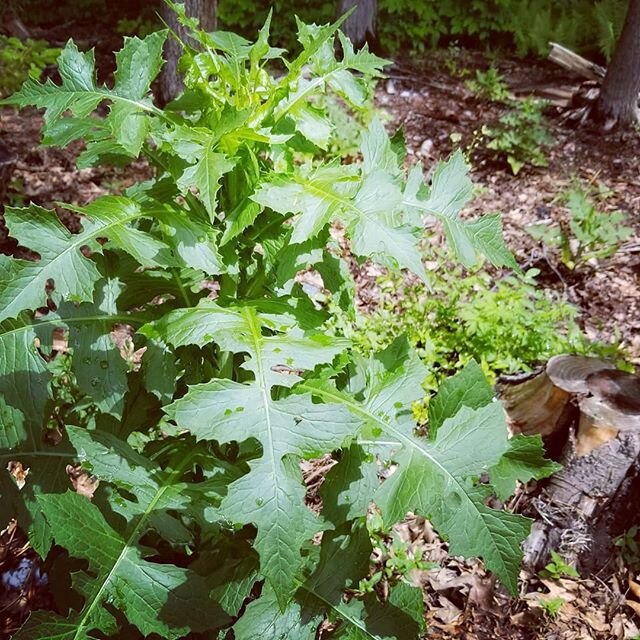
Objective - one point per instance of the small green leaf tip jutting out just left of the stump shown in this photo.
(523, 461)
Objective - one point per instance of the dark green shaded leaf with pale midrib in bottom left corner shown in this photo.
(157, 598)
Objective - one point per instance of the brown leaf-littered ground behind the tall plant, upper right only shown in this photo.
(435, 108)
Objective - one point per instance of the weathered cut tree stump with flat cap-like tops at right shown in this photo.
(589, 412)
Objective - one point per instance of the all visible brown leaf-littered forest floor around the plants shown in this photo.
(440, 113)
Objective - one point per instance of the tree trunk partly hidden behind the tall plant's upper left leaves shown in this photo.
(170, 81)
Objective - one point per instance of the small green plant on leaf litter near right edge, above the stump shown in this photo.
(588, 236)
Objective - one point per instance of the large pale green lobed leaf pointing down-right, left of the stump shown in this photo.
(442, 489)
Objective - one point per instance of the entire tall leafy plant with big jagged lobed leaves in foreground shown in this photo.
(231, 377)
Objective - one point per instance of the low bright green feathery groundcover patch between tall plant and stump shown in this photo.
(507, 325)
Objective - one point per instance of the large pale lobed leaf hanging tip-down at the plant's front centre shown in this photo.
(271, 496)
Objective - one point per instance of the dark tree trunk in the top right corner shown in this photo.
(617, 105)
